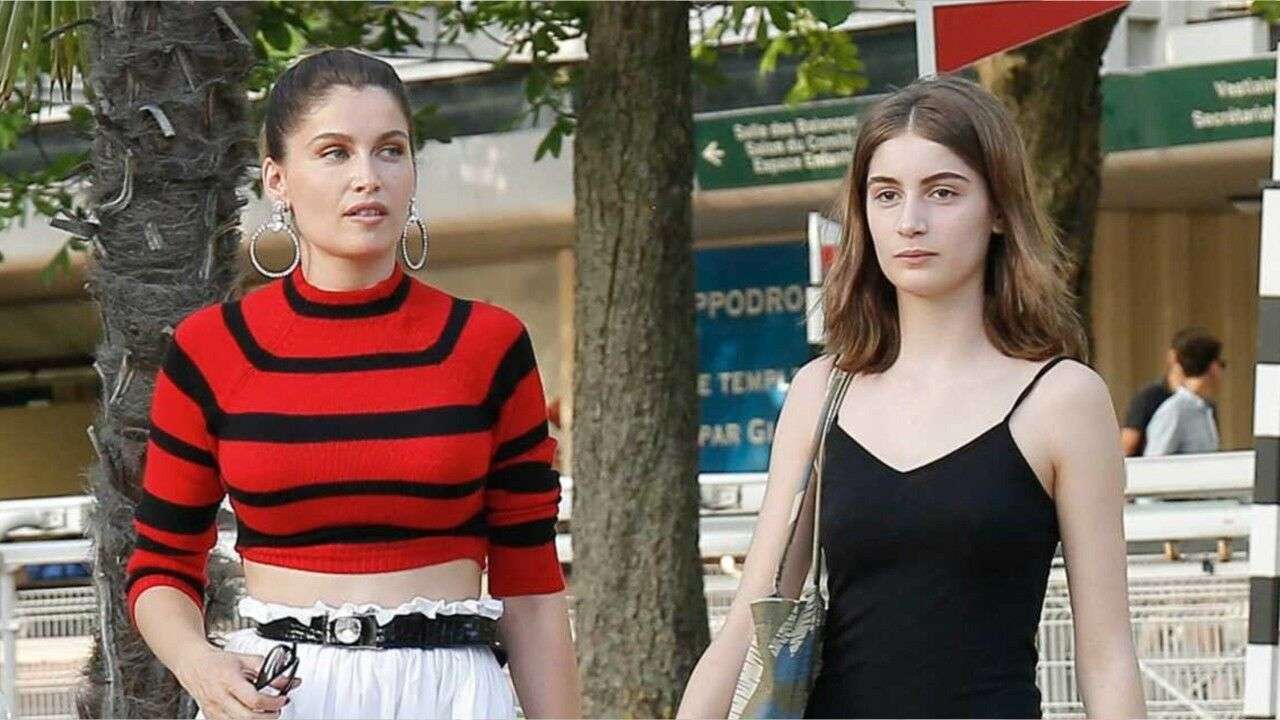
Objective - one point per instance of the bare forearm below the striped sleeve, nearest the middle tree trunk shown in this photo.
(543, 666)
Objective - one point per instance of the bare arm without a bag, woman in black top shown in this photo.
(1090, 495)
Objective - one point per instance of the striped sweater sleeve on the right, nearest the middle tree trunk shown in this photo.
(522, 491)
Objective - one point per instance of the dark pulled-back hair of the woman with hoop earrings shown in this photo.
(304, 84)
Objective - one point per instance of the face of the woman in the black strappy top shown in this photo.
(930, 216)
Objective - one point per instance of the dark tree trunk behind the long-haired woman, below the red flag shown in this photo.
(1054, 92)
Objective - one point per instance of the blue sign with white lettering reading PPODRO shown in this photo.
(751, 306)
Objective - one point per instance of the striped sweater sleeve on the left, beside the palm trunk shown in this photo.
(181, 489)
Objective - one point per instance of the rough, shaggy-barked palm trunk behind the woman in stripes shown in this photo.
(168, 215)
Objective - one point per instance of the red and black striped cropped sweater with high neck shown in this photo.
(363, 431)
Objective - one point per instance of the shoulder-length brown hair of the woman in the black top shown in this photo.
(1028, 309)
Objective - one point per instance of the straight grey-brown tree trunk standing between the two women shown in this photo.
(641, 616)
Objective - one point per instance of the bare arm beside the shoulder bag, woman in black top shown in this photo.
(711, 687)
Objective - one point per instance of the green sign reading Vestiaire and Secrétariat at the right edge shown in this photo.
(1190, 104)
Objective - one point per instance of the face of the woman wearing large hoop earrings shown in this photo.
(348, 175)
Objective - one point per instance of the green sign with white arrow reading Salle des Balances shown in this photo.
(776, 145)
